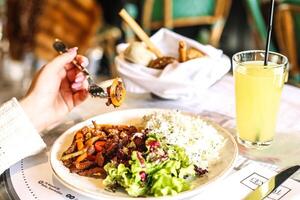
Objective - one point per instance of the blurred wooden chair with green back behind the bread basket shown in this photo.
(182, 13)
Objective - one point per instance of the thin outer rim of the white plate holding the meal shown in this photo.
(181, 195)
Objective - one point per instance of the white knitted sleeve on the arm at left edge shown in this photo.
(18, 137)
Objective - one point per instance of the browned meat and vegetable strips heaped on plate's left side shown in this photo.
(103, 144)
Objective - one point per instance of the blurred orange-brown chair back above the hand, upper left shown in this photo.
(75, 22)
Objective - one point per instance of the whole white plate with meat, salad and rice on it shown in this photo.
(143, 154)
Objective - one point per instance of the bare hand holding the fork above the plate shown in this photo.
(55, 90)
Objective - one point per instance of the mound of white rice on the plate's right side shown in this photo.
(200, 140)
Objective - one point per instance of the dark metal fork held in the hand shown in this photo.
(93, 88)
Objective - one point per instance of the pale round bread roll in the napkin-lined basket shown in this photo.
(138, 53)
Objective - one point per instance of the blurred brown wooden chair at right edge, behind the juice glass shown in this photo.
(287, 26)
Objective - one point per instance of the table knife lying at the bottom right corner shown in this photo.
(269, 186)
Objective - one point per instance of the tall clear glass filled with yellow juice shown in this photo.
(257, 94)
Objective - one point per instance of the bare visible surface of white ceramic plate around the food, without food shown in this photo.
(94, 188)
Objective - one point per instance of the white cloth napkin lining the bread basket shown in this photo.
(177, 80)
